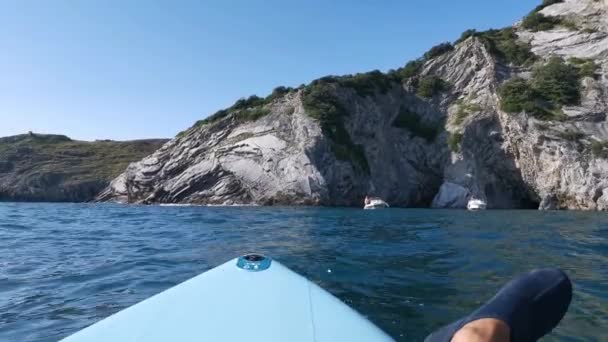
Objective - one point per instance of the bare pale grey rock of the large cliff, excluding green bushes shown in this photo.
(507, 160)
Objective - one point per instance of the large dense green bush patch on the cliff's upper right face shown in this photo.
(551, 86)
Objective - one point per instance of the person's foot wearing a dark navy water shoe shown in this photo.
(524, 310)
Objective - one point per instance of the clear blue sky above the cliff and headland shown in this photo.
(133, 69)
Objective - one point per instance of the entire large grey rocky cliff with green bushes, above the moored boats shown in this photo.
(516, 117)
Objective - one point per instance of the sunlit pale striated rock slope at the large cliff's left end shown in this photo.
(262, 162)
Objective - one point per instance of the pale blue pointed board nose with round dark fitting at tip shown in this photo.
(251, 298)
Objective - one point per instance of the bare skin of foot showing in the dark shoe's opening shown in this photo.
(483, 330)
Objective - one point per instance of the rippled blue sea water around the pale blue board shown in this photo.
(65, 266)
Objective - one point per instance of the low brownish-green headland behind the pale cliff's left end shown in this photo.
(37, 167)
